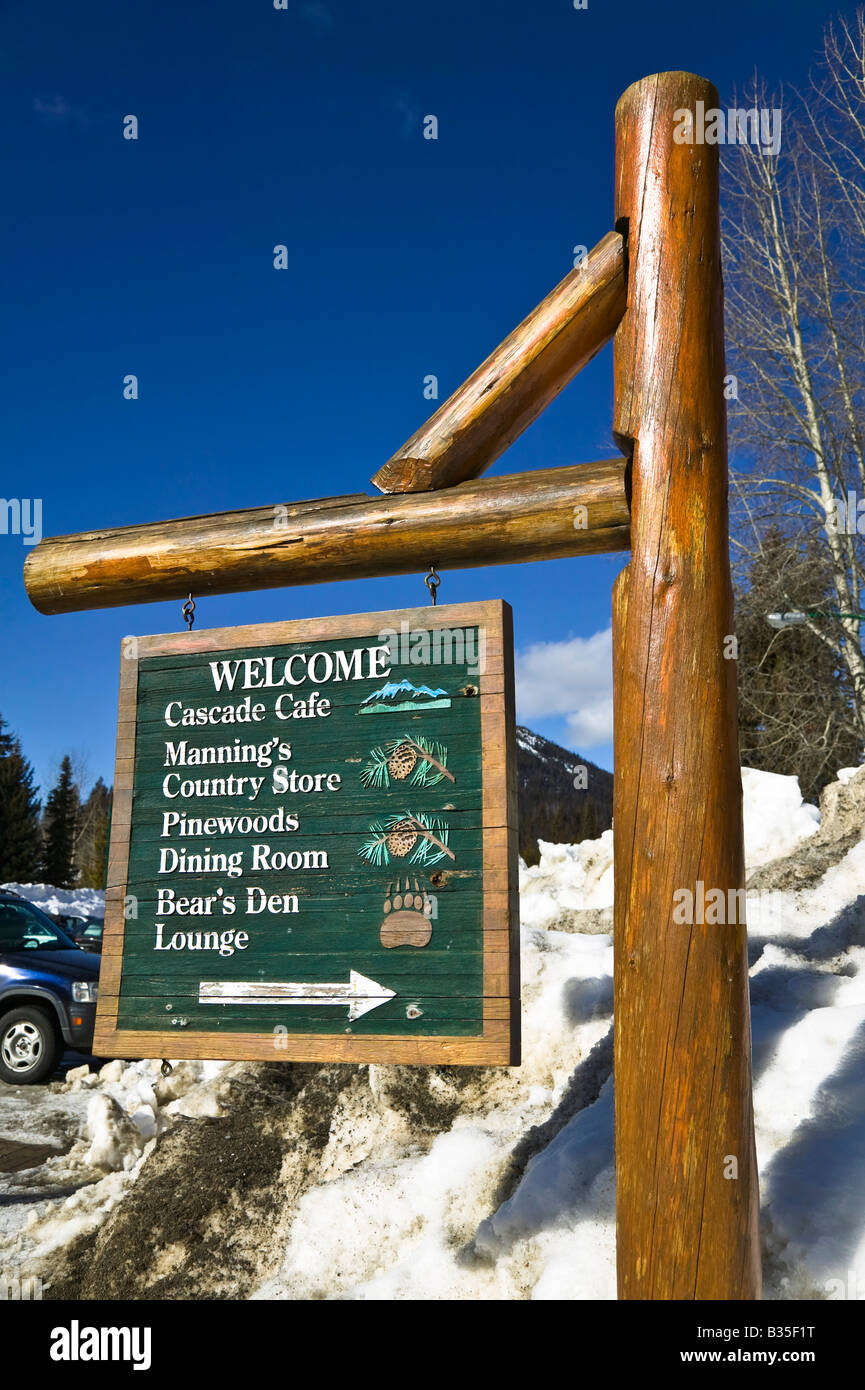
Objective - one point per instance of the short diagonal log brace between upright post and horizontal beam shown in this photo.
(518, 382)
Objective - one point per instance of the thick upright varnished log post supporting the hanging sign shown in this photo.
(688, 1193)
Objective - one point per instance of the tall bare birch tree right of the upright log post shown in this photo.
(795, 277)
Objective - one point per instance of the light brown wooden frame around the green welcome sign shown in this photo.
(499, 1043)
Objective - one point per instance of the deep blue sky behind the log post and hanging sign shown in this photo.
(408, 258)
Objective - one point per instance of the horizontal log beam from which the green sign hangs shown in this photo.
(507, 521)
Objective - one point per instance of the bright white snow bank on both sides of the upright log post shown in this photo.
(439, 1225)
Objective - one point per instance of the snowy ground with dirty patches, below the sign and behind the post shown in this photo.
(500, 1184)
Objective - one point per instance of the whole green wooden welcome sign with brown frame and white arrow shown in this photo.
(315, 847)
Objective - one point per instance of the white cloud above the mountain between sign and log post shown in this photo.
(571, 679)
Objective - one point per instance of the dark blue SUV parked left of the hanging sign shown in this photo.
(48, 993)
